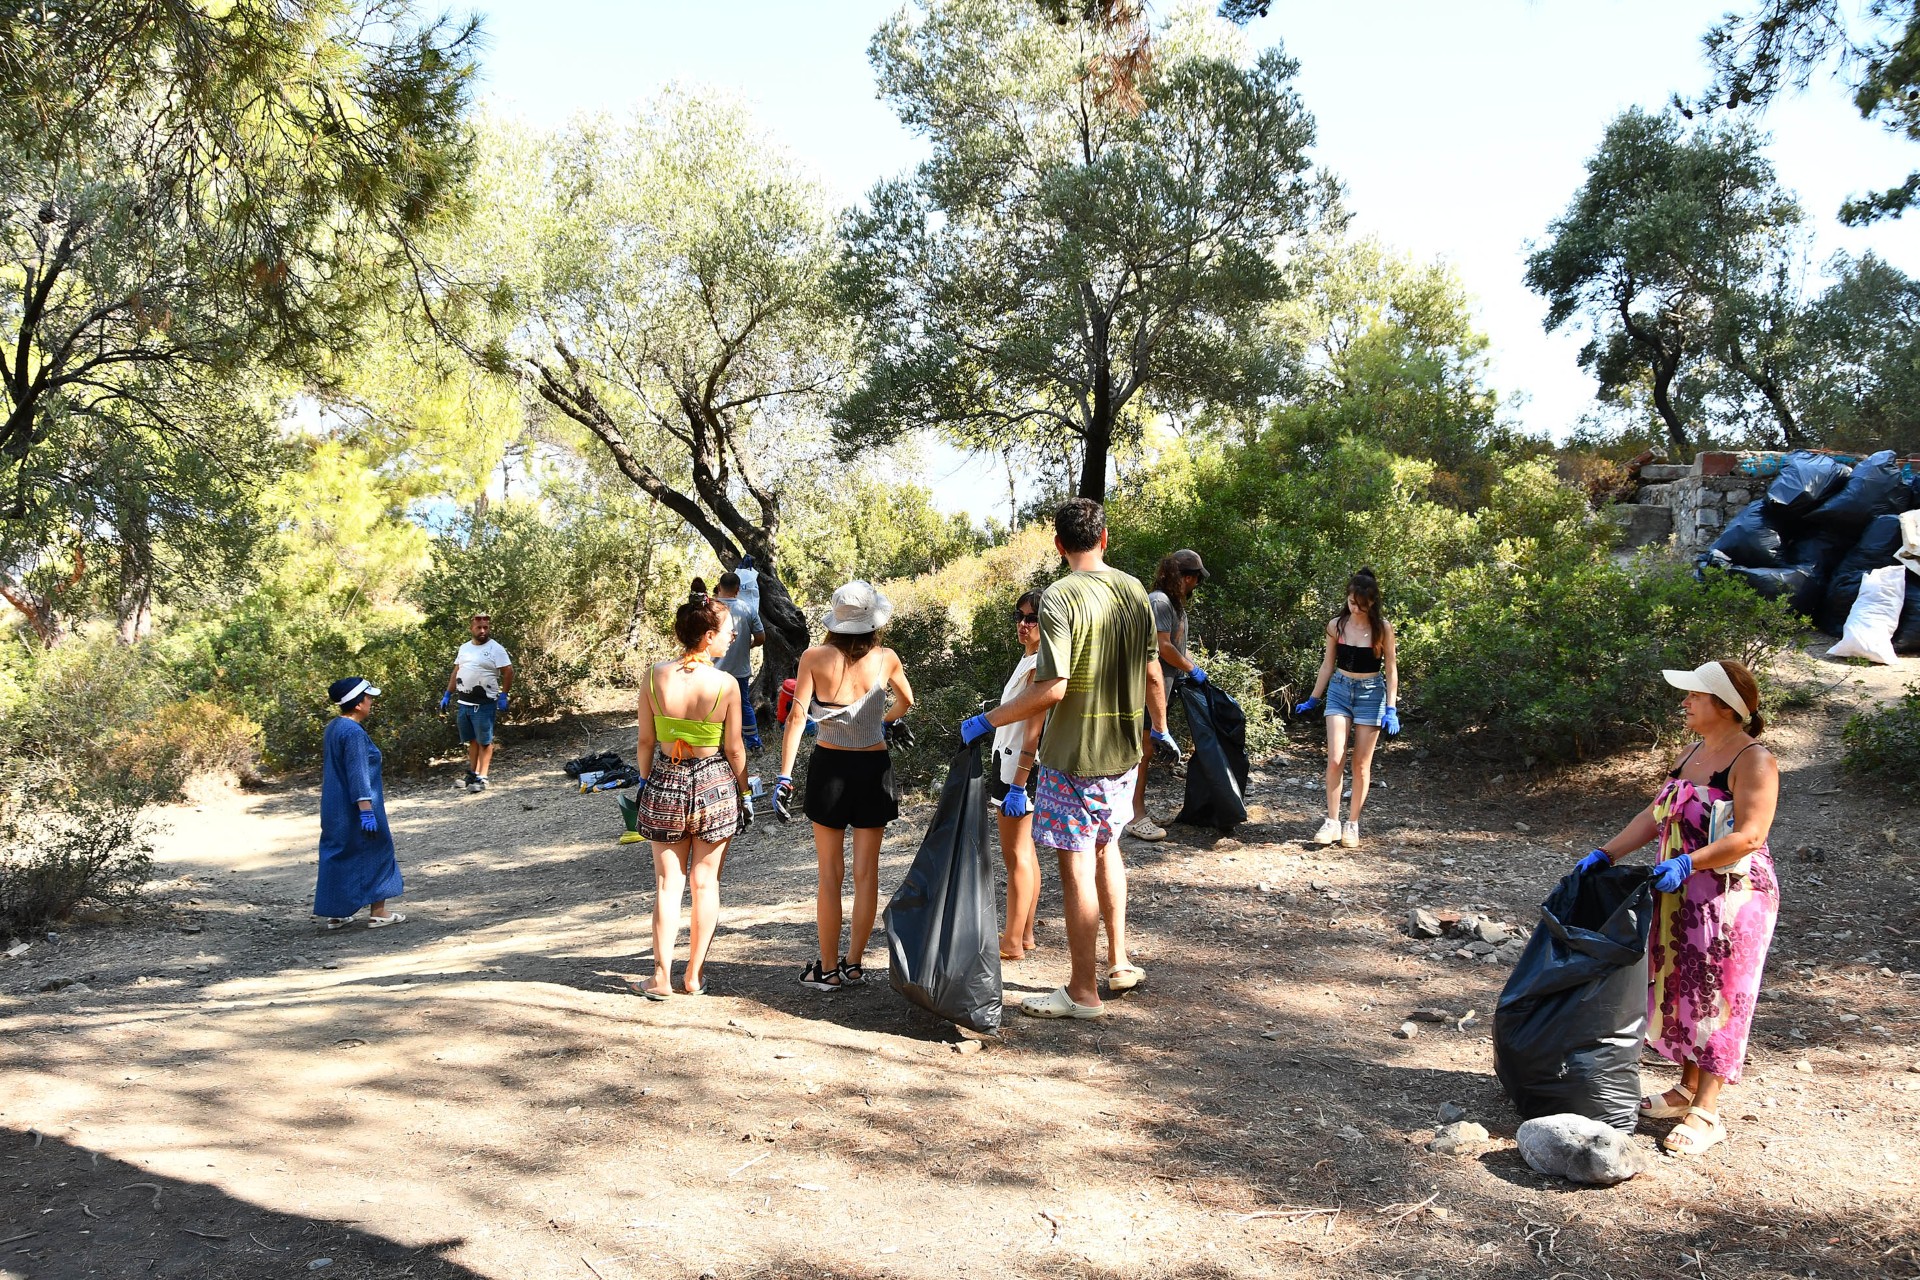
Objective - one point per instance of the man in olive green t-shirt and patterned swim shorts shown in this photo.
(1099, 678)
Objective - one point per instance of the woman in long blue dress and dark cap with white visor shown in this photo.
(358, 865)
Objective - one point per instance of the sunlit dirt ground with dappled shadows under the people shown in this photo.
(229, 1093)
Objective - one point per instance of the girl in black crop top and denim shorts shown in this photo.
(1360, 682)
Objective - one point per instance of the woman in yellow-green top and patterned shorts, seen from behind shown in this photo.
(692, 788)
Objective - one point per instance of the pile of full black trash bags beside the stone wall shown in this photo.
(1819, 531)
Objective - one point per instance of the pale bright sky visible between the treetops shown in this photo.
(1460, 130)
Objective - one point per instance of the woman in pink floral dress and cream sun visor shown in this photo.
(1716, 901)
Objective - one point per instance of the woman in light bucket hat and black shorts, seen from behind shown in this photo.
(844, 686)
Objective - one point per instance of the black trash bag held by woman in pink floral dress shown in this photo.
(1573, 1016)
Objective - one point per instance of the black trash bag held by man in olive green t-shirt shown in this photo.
(944, 928)
